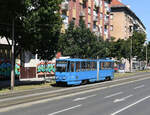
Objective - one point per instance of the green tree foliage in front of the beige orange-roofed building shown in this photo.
(122, 48)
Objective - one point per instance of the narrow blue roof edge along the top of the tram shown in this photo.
(76, 59)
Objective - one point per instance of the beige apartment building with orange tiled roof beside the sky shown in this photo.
(123, 21)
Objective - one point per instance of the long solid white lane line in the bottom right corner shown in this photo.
(115, 113)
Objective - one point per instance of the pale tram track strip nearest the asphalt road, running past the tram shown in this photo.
(8, 102)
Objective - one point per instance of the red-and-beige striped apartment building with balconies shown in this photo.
(94, 12)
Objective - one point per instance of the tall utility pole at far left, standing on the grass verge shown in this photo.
(12, 56)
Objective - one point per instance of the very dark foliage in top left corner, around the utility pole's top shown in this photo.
(10, 9)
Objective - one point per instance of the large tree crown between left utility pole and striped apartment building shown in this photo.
(42, 24)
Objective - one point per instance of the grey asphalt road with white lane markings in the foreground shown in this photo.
(132, 98)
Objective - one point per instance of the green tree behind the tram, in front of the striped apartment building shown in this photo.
(79, 41)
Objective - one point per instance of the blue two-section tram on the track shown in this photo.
(81, 71)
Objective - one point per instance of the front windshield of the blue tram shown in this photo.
(61, 66)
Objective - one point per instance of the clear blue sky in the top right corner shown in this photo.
(142, 9)
